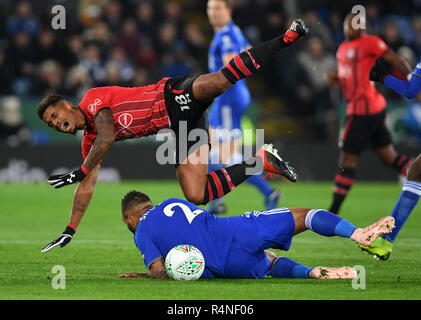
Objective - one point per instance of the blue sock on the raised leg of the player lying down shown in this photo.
(328, 224)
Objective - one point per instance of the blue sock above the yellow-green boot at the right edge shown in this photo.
(407, 201)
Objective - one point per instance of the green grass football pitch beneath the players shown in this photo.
(31, 215)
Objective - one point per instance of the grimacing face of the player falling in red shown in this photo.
(61, 117)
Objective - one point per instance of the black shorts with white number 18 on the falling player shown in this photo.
(189, 117)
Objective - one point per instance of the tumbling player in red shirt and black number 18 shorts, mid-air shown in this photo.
(110, 114)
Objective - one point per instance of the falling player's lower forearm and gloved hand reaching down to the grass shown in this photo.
(82, 197)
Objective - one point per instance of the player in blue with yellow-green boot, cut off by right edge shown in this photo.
(411, 190)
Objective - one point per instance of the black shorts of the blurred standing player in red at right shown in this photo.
(359, 132)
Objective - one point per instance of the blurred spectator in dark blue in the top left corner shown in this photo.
(23, 20)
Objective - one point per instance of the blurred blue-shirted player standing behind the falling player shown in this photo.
(228, 109)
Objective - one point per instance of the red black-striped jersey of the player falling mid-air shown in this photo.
(137, 111)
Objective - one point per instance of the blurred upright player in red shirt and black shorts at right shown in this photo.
(365, 113)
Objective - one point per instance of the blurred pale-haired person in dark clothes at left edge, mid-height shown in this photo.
(12, 128)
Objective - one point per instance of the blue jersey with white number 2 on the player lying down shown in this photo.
(176, 221)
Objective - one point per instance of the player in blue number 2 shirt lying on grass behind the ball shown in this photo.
(235, 247)
